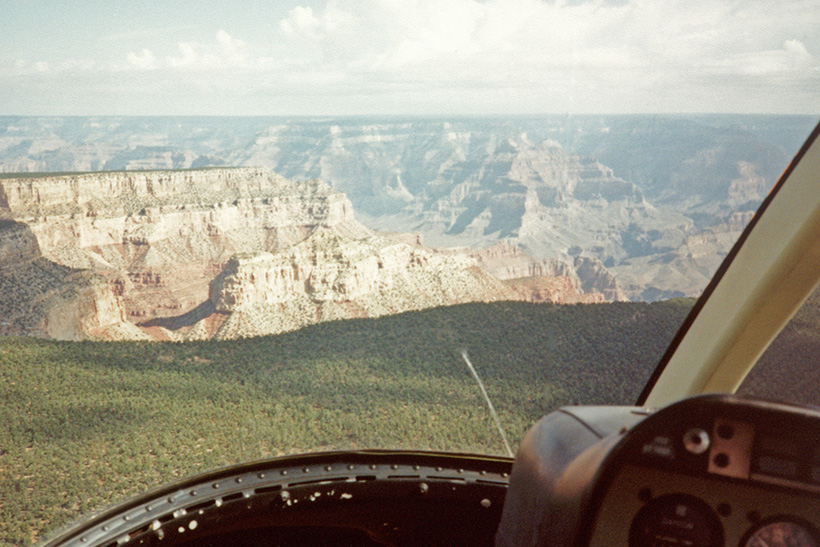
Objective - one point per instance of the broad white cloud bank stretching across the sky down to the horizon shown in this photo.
(473, 56)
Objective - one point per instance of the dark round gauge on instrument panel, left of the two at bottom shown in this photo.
(676, 519)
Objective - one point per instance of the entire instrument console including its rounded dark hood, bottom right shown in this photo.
(707, 472)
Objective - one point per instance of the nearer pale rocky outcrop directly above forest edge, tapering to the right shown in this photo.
(328, 276)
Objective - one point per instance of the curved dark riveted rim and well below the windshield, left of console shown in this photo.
(362, 498)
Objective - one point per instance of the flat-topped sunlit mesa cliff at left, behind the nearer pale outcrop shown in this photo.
(161, 236)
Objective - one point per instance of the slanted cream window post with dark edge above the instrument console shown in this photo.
(743, 308)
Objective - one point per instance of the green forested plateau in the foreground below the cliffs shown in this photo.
(86, 424)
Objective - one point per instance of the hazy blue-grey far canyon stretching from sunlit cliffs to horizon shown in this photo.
(654, 202)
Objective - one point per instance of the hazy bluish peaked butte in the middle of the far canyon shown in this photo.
(535, 194)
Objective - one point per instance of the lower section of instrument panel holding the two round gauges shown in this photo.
(667, 509)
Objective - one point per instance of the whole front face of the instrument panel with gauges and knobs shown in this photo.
(732, 475)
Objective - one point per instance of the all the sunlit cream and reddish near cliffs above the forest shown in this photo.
(227, 253)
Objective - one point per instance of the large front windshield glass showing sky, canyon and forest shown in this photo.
(241, 234)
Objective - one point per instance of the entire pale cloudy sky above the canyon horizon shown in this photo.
(408, 57)
